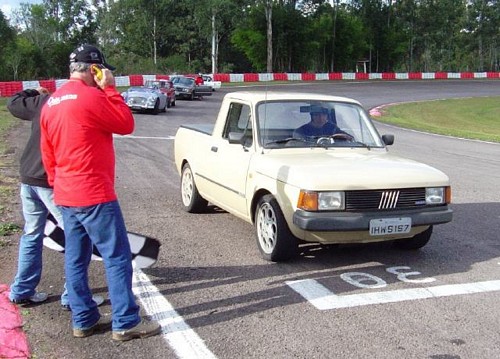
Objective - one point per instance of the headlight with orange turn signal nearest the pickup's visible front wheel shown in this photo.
(321, 201)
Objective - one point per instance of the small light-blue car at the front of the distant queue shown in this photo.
(145, 99)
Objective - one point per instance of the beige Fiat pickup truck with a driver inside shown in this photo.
(308, 168)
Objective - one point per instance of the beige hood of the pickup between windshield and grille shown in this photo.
(346, 169)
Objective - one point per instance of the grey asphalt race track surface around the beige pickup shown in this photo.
(217, 298)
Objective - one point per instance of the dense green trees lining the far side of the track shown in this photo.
(240, 36)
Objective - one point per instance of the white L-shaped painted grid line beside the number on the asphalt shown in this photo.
(323, 299)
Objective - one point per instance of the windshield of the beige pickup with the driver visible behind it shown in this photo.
(314, 124)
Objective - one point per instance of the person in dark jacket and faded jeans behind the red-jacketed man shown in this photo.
(37, 201)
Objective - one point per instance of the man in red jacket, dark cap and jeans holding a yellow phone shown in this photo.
(77, 127)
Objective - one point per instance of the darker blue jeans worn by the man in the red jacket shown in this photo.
(103, 226)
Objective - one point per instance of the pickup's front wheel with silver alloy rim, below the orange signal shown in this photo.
(274, 239)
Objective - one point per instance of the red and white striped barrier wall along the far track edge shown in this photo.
(9, 88)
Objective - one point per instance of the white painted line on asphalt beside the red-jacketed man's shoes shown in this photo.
(178, 334)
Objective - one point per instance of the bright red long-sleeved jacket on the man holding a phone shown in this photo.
(77, 126)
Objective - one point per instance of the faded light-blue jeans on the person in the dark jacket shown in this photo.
(37, 202)
